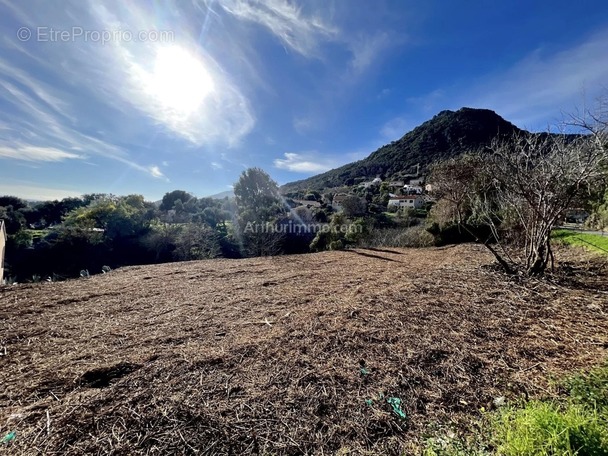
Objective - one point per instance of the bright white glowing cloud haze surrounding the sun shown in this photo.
(178, 85)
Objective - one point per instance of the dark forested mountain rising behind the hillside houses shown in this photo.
(448, 134)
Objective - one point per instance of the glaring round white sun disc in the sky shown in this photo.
(179, 80)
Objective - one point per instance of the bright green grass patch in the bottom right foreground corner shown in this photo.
(573, 424)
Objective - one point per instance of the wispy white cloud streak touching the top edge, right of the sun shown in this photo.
(285, 20)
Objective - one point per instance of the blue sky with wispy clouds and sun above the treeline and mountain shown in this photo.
(149, 96)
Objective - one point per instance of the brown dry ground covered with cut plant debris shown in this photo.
(353, 352)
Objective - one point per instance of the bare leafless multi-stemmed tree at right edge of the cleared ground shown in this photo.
(530, 180)
